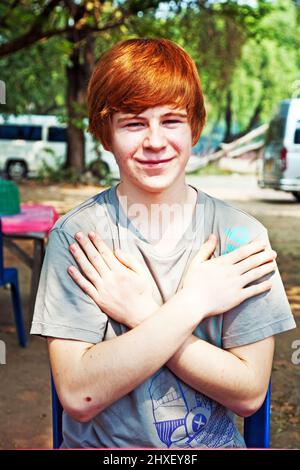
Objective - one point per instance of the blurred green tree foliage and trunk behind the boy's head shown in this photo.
(247, 54)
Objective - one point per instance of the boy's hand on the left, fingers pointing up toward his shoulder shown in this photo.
(116, 282)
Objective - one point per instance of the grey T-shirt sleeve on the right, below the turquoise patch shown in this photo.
(261, 316)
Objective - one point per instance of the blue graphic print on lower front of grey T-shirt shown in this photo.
(186, 418)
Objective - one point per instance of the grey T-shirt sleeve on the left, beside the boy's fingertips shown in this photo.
(62, 309)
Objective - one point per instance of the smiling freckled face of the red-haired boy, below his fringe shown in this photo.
(152, 149)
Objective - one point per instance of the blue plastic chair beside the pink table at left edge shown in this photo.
(10, 276)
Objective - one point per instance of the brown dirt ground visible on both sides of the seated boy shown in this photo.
(25, 405)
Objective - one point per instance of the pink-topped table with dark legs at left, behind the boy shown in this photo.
(33, 223)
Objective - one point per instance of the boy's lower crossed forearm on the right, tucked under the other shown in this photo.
(217, 373)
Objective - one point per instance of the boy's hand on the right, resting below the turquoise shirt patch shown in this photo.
(218, 285)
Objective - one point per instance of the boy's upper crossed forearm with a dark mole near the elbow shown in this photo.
(111, 369)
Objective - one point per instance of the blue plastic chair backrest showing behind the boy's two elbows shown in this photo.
(256, 427)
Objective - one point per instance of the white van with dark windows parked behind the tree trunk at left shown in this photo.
(27, 142)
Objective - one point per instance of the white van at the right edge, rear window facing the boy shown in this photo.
(280, 166)
